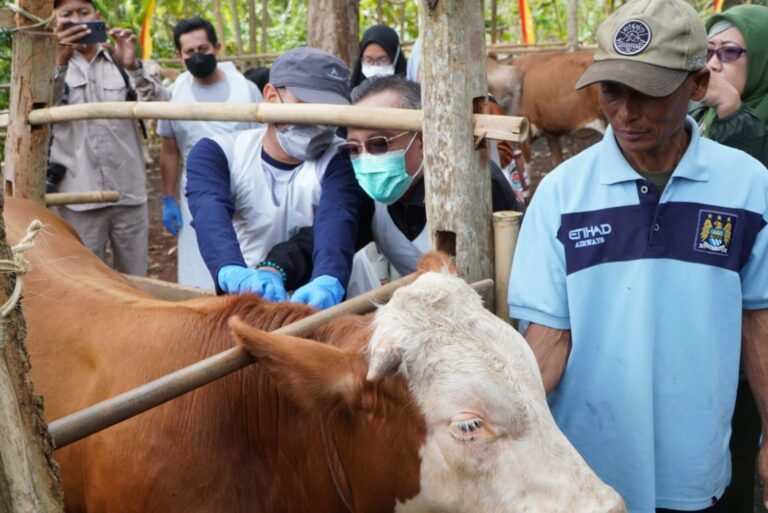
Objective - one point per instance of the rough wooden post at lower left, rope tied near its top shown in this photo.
(28, 475)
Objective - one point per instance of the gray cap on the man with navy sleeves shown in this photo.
(312, 76)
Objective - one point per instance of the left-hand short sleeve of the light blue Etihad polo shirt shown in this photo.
(537, 283)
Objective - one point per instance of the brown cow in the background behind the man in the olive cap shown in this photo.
(541, 87)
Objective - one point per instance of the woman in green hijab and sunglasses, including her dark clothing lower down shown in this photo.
(735, 113)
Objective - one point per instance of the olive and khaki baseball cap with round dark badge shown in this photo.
(648, 45)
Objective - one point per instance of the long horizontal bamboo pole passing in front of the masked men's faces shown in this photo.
(508, 128)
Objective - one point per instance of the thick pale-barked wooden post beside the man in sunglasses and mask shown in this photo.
(458, 176)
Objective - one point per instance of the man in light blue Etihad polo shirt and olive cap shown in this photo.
(636, 261)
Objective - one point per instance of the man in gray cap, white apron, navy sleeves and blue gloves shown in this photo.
(257, 196)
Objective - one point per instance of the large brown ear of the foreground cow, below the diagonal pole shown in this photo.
(313, 374)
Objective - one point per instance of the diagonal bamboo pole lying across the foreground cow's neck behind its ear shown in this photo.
(107, 413)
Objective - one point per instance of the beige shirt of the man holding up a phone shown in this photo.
(102, 154)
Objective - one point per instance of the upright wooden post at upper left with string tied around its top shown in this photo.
(26, 147)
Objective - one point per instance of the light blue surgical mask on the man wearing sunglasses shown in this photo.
(384, 177)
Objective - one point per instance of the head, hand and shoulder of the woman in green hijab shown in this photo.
(735, 109)
